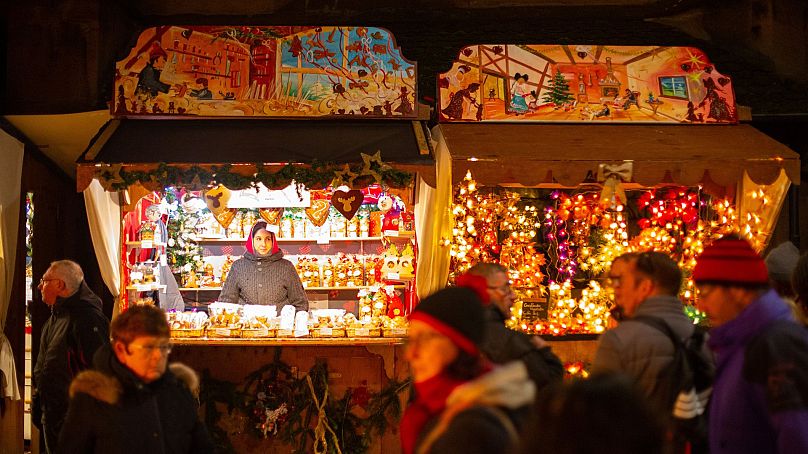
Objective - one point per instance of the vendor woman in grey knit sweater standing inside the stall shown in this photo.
(263, 276)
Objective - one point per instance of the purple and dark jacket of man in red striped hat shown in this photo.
(760, 395)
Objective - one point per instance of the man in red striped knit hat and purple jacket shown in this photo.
(760, 394)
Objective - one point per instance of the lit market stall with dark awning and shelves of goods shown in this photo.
(329, 161)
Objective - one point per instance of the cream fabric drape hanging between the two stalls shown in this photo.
(433, 216)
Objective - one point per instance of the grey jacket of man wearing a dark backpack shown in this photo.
(641, 351)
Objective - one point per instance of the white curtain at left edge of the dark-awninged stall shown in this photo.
(104, 217)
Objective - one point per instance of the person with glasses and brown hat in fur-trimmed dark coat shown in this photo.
(132, 401)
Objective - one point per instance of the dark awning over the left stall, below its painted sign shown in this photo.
(403, 144)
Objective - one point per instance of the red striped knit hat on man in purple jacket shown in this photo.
(730, 260)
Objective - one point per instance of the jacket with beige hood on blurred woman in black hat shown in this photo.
(481, 416)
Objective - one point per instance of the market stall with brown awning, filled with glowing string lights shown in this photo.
(554, 159)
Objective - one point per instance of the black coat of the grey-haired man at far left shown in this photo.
(70, 337)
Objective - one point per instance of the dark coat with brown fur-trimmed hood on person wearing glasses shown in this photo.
(114, 412)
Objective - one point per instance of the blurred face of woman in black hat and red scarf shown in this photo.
(428, 351)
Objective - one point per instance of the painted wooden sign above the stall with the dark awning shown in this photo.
(265, 72)
